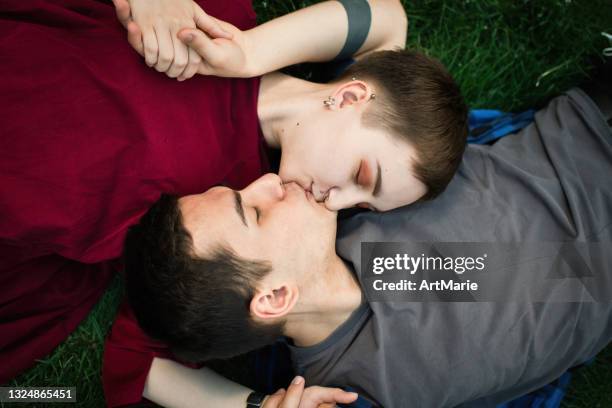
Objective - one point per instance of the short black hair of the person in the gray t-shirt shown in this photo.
(199, 307)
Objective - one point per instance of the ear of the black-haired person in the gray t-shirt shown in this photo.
(274, 303)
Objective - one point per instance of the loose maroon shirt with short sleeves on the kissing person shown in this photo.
(89, 138)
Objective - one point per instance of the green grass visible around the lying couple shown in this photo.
(506, 54)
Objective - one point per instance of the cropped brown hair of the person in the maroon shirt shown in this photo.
(418, 101)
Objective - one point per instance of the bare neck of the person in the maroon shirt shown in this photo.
(283, 102)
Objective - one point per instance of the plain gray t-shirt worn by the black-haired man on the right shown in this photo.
(550, 182)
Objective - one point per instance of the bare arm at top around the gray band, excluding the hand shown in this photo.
(318, 33)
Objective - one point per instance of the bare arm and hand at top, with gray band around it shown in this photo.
(313, 34)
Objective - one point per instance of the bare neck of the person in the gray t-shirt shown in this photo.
(324, 305)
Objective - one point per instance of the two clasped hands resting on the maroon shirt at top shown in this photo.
(178, 38)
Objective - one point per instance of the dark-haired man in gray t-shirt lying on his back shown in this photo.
(282, 274)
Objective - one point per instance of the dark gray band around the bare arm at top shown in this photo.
(359, 21)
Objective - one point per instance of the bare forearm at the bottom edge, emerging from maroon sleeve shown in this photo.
(173, 385)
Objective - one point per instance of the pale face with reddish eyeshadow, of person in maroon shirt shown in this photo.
(346, 164)
